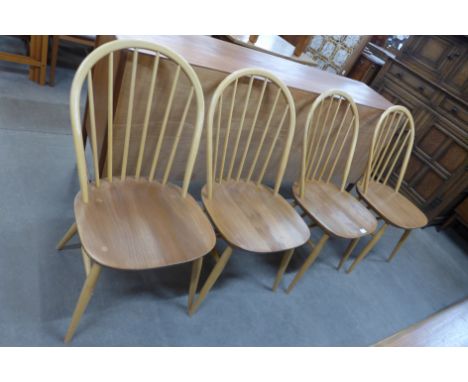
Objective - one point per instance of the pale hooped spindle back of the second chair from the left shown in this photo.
(230, 160)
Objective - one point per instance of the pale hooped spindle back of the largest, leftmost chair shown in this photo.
(85, 72)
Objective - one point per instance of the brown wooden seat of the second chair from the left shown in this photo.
(252, 218)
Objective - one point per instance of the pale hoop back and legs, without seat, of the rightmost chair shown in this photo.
(391, 146)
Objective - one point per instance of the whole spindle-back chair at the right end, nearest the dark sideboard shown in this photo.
(390, 150)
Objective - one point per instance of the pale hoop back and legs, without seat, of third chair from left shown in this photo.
(326, 132)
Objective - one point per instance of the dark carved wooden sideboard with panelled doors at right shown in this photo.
(430, 77)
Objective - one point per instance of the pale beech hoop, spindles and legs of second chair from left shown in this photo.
(226, 171)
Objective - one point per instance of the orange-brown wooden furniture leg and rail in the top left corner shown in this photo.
(37, 58)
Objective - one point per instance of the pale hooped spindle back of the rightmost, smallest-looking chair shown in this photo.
(391, 146)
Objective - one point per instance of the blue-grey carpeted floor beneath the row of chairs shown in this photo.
(39, 286)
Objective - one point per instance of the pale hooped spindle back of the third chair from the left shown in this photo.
(332, 122)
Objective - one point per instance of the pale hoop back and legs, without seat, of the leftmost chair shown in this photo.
(84, 73)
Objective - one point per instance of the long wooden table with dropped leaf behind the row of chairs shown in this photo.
(213, 59)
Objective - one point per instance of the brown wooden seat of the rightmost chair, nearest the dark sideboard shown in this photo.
(392, 206)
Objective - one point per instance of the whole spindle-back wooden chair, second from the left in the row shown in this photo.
(247, 213)
